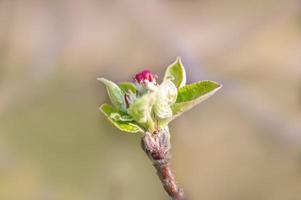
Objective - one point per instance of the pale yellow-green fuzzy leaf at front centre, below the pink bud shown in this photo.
(141, 109)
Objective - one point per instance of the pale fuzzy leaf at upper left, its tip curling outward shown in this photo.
(115, 93)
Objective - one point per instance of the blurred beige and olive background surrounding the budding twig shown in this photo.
(243, 143)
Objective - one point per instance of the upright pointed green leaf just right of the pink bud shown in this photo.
(176, 73)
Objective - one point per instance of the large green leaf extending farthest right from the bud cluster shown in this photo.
(193, 94)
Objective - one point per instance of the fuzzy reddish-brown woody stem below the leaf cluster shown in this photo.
(157, 146)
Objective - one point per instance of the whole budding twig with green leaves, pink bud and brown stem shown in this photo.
(147, 107)
